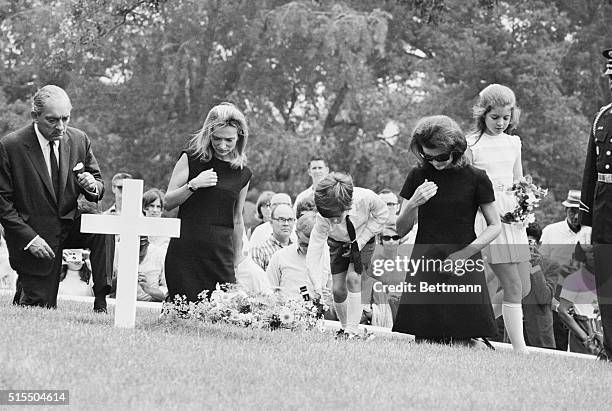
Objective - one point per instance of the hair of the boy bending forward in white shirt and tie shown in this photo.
(334, 194)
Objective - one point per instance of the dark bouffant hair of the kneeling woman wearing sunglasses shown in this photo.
(439, 132)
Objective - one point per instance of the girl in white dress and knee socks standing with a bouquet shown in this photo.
(499, 154)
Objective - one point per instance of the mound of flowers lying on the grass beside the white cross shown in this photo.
(233, 304)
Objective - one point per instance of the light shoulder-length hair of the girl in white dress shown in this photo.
(494, 95)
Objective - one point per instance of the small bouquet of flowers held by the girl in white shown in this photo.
(528, 196)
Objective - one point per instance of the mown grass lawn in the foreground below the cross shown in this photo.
(164, 365)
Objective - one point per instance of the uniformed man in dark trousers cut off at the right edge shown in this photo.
(596, 208)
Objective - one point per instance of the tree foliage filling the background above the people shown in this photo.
(347, 79)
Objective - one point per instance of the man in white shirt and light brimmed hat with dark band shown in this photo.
(557, 246)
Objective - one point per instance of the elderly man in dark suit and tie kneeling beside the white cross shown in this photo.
(44, 167)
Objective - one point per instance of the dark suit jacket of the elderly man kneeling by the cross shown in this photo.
(28, 206)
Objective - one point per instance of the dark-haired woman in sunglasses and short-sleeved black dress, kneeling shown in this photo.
(445, 298)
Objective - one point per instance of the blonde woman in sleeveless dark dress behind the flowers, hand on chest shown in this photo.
(209, 185)
